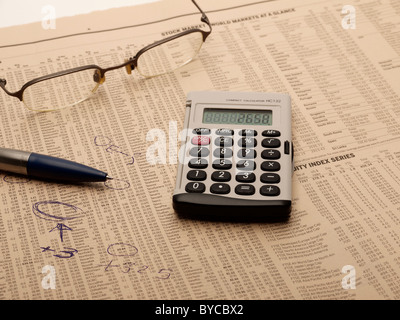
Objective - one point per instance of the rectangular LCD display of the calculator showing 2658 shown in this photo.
(237, 116)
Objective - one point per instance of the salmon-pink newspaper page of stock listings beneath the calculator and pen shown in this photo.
(122, 240)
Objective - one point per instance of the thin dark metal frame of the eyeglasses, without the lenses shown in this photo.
(129, 64)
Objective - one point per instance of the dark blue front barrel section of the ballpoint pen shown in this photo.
(46, 167)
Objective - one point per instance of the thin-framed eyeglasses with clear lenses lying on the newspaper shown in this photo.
(70, 87)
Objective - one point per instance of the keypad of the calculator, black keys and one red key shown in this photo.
(236, 165)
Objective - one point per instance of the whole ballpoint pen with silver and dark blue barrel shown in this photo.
(46, 167)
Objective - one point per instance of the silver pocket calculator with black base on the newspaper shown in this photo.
(237, 158)
